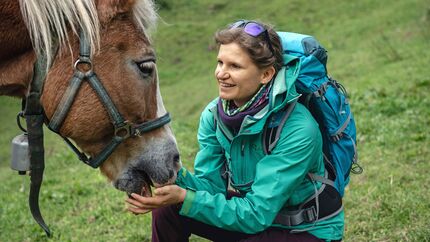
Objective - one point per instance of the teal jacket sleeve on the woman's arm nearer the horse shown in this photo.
(209, 162)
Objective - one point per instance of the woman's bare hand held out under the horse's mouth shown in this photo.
(163, 196)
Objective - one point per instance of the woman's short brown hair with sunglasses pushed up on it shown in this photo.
(257, 47)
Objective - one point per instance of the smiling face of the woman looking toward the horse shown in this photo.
(238, 77)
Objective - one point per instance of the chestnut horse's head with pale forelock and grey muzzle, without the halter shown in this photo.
(125, 64)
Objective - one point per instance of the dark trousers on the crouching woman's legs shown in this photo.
(169, 226)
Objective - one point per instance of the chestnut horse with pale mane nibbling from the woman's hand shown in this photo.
(108, 101)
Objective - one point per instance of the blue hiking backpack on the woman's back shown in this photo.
(327, 101)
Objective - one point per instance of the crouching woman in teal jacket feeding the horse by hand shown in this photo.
(238, 191)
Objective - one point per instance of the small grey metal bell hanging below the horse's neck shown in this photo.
(20, 154)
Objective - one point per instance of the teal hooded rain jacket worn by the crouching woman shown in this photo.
(268, 183)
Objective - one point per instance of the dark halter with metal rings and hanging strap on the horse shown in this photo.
(35, 119)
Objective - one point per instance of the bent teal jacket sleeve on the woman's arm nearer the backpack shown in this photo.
(277, 176)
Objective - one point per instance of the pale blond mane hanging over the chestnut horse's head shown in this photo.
(48, 18)
